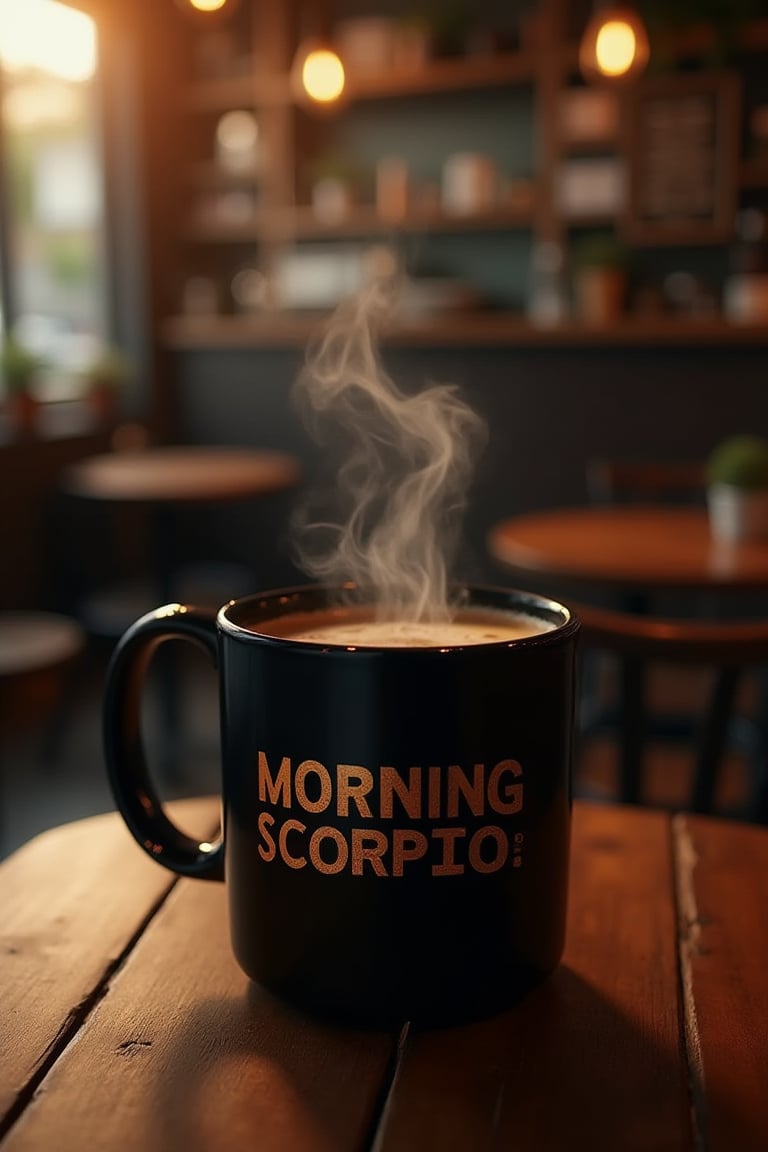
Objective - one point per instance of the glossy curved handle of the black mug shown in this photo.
(134, 792)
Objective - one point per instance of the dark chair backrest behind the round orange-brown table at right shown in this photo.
(650, 482)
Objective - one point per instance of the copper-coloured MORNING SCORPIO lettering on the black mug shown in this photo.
(425, 795)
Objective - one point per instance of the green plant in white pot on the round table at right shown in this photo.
(737, 494)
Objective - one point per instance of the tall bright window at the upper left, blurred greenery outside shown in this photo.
(51, 185)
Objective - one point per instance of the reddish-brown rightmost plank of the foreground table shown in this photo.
(724, 883)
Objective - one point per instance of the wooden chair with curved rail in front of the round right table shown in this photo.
(729, 649)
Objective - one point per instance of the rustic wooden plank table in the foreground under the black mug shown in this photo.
(127, 1025)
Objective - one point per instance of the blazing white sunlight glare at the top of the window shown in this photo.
(50, 36)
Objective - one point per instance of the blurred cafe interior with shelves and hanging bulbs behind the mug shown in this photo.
(574, 208)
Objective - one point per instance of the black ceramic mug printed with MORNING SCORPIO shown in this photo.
(396, 820)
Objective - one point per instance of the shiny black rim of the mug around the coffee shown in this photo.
(287, 601)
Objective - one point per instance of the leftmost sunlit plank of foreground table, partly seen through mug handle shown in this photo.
(58, 943)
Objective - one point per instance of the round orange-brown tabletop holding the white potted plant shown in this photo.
(630, 548)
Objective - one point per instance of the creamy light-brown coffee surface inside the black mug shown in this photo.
(356, 627)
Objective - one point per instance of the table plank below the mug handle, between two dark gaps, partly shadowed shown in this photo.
(185, 1054)
